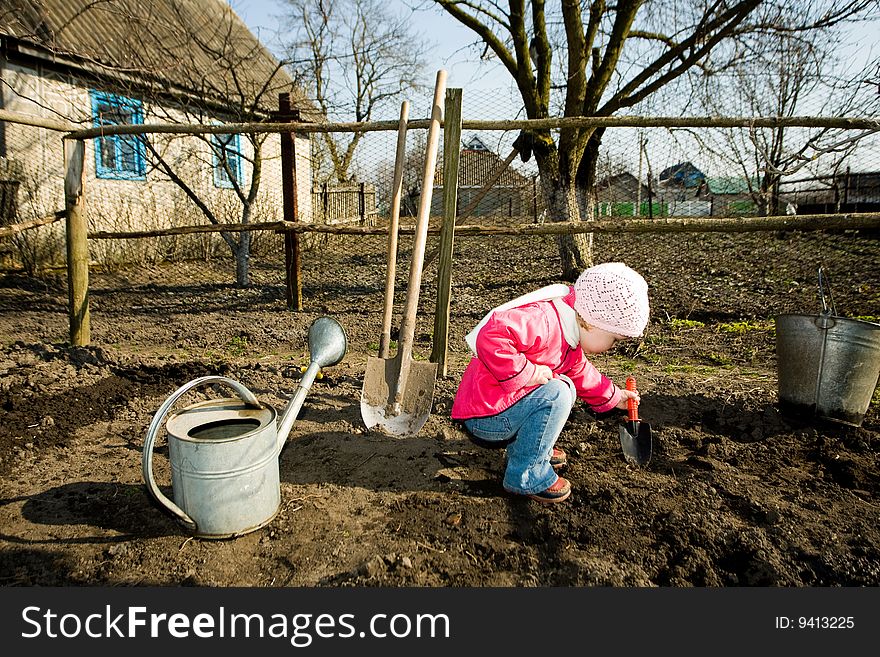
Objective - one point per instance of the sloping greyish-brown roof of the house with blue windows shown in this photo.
(171, 48)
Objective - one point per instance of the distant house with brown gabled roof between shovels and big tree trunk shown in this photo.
(512, 195)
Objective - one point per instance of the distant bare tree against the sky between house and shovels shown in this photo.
(358, 58)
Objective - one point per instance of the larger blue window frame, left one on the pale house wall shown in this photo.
(119, 157)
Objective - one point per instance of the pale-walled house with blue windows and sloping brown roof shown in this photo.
(145, 61)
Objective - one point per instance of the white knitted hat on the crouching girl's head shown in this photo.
(613, 297)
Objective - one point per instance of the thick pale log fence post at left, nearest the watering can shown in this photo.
(77, 242)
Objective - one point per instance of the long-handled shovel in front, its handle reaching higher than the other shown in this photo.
(398, 392)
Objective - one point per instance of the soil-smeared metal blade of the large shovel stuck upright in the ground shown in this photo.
(379, 409)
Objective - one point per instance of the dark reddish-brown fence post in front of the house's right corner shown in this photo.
(292, 277)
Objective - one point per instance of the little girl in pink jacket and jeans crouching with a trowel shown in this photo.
(529, 366)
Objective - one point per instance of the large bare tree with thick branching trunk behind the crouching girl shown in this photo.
(599, 59)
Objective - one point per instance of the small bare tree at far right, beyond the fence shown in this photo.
(779, 73)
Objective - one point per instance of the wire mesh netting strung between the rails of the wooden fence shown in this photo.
(645, 172)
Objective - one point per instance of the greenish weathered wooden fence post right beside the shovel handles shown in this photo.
(451, 155)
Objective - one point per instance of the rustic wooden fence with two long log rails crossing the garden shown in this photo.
(358, 202)
